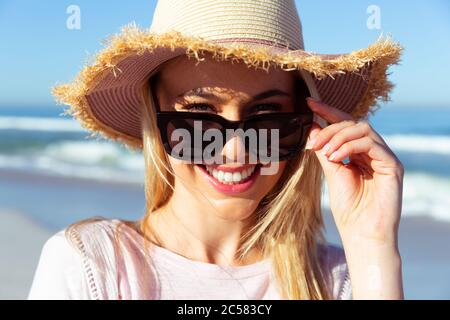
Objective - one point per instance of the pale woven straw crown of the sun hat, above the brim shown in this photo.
(253, 21)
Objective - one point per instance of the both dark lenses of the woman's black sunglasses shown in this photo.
(265, 138)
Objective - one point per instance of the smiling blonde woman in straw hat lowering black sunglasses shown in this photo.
(218, 216)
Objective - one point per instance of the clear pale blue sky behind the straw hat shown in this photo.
(38, 51)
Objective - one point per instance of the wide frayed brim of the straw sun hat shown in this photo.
(110, 85)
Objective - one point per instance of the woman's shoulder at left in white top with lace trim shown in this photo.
(76, 261)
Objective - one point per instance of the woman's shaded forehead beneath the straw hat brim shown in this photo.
(183, 74)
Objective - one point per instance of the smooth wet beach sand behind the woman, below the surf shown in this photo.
(54, 202)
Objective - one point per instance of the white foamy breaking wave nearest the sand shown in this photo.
(423, 194)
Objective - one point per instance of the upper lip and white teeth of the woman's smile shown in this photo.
(230, 178)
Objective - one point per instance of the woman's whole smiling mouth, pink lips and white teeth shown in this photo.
(230, 180)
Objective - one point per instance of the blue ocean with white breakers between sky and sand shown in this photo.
(41, 140)
